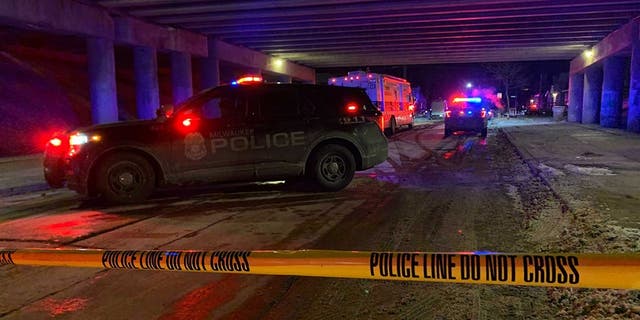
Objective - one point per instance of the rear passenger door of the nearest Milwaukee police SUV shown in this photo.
(284, 130)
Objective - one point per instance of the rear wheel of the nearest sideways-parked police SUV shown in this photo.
(332, 167)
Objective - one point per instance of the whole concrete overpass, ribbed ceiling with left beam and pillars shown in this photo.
(287, 38)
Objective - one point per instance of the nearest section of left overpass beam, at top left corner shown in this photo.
(60, 16)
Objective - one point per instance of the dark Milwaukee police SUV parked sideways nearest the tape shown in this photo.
(246, 131)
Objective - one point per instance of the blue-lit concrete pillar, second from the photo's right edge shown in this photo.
(612, 82)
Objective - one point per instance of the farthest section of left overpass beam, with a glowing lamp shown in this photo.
(254, 59)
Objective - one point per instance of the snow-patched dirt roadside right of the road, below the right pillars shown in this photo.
(592, 173)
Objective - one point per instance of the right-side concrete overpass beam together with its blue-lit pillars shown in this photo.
(604, 83)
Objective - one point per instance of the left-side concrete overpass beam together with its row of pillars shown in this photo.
(102, 30)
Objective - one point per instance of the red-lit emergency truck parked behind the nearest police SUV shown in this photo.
(392, 95)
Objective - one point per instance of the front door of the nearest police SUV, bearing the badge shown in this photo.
(216, 148)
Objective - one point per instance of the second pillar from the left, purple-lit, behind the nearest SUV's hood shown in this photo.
(145, 67)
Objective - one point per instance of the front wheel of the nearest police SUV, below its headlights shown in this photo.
(125, 178)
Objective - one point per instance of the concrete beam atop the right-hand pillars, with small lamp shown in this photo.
(612, 44)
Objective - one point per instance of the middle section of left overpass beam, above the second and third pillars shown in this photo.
(138, 33)
